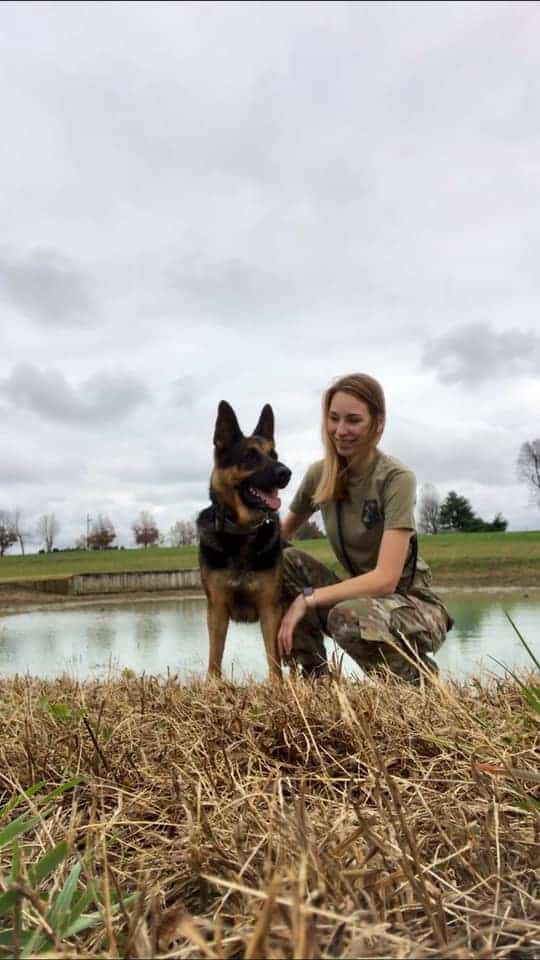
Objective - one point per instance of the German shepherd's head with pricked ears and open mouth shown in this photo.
(247, 473)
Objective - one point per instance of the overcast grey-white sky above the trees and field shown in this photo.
(241, 201)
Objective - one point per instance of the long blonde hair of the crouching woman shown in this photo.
(333, 482)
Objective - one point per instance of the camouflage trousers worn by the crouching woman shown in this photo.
(376, 632)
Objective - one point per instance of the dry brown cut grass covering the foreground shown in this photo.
(329, 820)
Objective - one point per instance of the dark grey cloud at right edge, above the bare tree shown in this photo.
(475, 352)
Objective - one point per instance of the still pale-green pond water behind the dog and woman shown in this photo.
(101, 640)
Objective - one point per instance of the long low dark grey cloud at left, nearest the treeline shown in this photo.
(102, 398)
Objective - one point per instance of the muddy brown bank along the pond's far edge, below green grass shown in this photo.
(25, 602)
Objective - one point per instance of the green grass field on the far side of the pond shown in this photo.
(478, 558)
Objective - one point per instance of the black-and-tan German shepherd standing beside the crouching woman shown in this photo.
(239, 534)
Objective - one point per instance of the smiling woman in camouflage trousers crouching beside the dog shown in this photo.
(385, 615)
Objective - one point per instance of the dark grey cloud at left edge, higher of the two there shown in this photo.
(47, 287)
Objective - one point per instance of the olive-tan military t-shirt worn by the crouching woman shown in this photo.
(381, 499)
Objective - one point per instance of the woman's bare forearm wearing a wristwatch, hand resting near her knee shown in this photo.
(380, 582)
